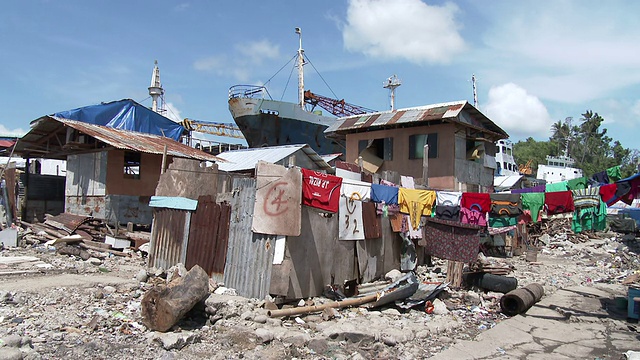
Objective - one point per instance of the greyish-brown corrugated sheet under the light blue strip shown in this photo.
(168, 237)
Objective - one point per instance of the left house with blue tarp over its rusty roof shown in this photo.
(111, 172)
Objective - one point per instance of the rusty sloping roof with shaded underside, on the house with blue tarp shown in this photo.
(48, 139)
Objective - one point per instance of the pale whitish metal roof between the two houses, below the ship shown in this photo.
(246, 159)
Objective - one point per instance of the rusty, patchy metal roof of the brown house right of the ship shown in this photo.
(460, 112)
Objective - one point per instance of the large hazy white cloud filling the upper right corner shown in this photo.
(570, 51)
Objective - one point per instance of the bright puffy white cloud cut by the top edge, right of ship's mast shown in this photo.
(403, 29)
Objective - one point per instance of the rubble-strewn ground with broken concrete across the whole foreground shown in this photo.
(88, 309)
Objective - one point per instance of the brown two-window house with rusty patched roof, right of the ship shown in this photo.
(461, 141)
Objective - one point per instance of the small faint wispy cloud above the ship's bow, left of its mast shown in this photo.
(248, 56)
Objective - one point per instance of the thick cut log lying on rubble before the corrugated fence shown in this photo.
(162, 306)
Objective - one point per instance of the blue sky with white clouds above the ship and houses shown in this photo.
(536, 62)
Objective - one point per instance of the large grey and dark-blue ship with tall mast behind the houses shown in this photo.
(267, 122)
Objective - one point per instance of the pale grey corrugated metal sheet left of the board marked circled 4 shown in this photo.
(249, 255)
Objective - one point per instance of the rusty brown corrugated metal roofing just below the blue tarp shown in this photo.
(44, 127)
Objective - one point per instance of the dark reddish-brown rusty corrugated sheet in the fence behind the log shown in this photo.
(209, 236)
